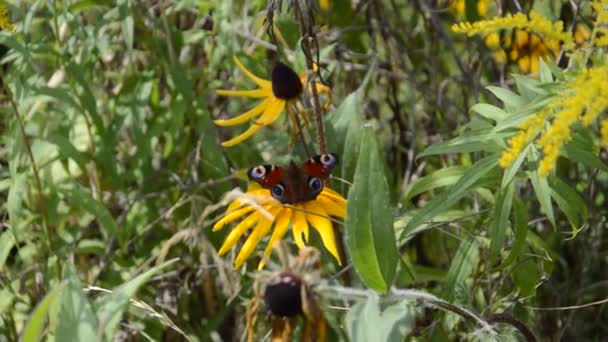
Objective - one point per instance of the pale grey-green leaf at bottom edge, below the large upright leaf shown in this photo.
(365, 321)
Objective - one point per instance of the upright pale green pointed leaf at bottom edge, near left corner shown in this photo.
(75, 320)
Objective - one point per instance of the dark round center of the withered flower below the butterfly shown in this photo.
(283, 296)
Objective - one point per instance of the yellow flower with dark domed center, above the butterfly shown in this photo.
(284, 86)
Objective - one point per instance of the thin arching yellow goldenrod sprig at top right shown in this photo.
(534, 23)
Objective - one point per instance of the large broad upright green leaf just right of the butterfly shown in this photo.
(370, 237)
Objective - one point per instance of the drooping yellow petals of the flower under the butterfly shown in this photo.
(261, 211)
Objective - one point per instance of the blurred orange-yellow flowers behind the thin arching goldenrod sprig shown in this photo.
(522, 48)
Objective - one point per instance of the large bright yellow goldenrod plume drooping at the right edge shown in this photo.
(585, 98)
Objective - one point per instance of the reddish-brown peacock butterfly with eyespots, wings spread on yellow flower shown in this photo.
(293, 184)
